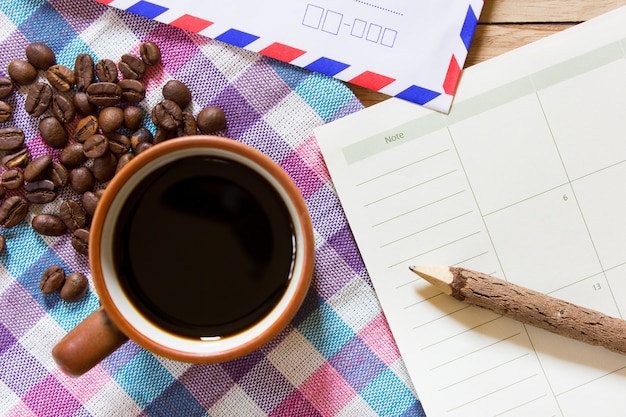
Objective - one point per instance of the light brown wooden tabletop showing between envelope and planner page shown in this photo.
(508, 24)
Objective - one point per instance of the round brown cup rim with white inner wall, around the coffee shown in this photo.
(130, 321)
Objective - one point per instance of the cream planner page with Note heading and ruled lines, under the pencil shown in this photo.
(525, 179)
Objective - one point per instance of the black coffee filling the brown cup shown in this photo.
(204, 247)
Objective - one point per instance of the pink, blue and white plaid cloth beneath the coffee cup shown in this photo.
(337, 357)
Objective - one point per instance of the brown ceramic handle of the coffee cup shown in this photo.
(87, 344)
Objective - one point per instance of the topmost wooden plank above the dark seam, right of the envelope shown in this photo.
(539, 11)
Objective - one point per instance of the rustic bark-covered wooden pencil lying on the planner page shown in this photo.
(528, 306)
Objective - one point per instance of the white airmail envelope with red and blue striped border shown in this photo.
(412, 50)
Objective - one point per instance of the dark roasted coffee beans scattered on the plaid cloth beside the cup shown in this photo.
(100, 144)
